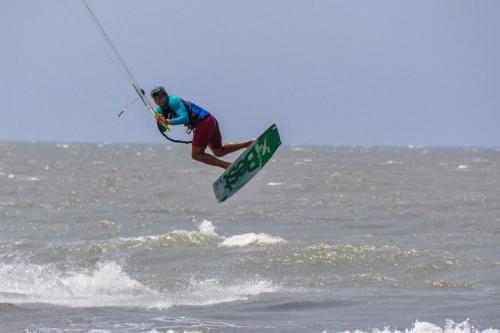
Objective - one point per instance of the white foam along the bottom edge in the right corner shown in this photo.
(425, 327)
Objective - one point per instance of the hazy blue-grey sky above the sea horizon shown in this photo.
(326, 71)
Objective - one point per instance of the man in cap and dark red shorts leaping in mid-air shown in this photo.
(175, 111)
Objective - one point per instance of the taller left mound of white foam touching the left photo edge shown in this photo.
(104, 285)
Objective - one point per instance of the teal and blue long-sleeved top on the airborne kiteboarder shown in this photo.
(182, 115)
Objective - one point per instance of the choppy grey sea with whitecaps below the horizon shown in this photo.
(129, 238)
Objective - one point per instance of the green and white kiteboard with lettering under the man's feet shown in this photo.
(246, 166)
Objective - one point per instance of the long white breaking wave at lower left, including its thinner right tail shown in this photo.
(107, 285)
